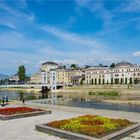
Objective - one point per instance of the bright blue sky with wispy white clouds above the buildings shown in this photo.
(84, 32)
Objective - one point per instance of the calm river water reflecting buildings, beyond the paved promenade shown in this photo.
(68, 100)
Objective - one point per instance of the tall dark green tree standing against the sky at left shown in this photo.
(21, 73)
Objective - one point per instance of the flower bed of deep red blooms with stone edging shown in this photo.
(19, 112)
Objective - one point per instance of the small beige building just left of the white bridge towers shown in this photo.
(36, 78)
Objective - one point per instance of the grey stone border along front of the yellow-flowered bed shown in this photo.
(70, 135)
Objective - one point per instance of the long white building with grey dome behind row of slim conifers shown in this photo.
(122, 73)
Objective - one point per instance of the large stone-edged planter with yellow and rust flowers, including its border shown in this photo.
(89, 127)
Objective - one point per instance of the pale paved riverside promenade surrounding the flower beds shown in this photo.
(24, 128)
